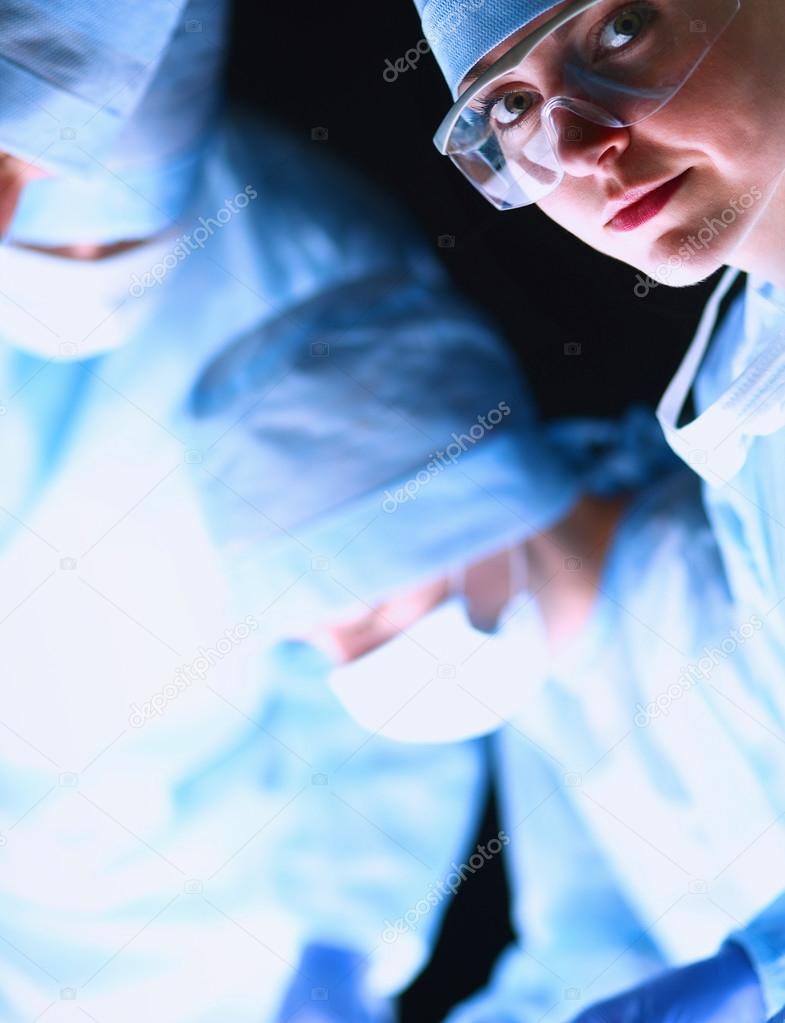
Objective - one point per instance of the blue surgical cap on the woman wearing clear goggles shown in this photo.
(461, 32)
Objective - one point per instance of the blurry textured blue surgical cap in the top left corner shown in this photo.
(71, 74)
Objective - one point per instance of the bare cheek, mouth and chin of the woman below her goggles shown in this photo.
(714, 155)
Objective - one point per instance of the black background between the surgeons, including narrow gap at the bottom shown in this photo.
(323, 69)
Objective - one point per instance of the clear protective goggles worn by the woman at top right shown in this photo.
(603, 62)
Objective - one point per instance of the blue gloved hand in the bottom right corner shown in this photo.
(722, 990)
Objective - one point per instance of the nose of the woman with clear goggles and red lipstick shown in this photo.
(584, 145)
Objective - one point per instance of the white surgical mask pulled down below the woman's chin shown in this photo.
(717, 443)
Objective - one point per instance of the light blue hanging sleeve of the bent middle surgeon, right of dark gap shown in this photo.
(579, 941)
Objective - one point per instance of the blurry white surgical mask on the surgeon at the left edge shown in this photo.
(62, 309)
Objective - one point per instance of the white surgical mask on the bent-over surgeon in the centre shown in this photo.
(445, 681)
